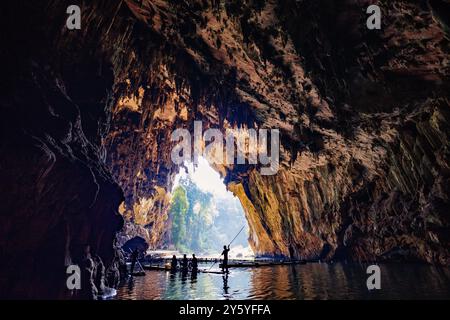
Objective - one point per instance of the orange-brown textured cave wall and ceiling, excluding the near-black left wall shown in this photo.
(359, 111)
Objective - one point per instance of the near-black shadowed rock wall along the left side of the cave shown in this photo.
(58, 197)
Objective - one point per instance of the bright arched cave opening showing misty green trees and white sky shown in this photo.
(204, 216)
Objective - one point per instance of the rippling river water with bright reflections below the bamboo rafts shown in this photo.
(310, 281)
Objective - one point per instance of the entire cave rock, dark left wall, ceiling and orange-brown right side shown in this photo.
(87, 117)
